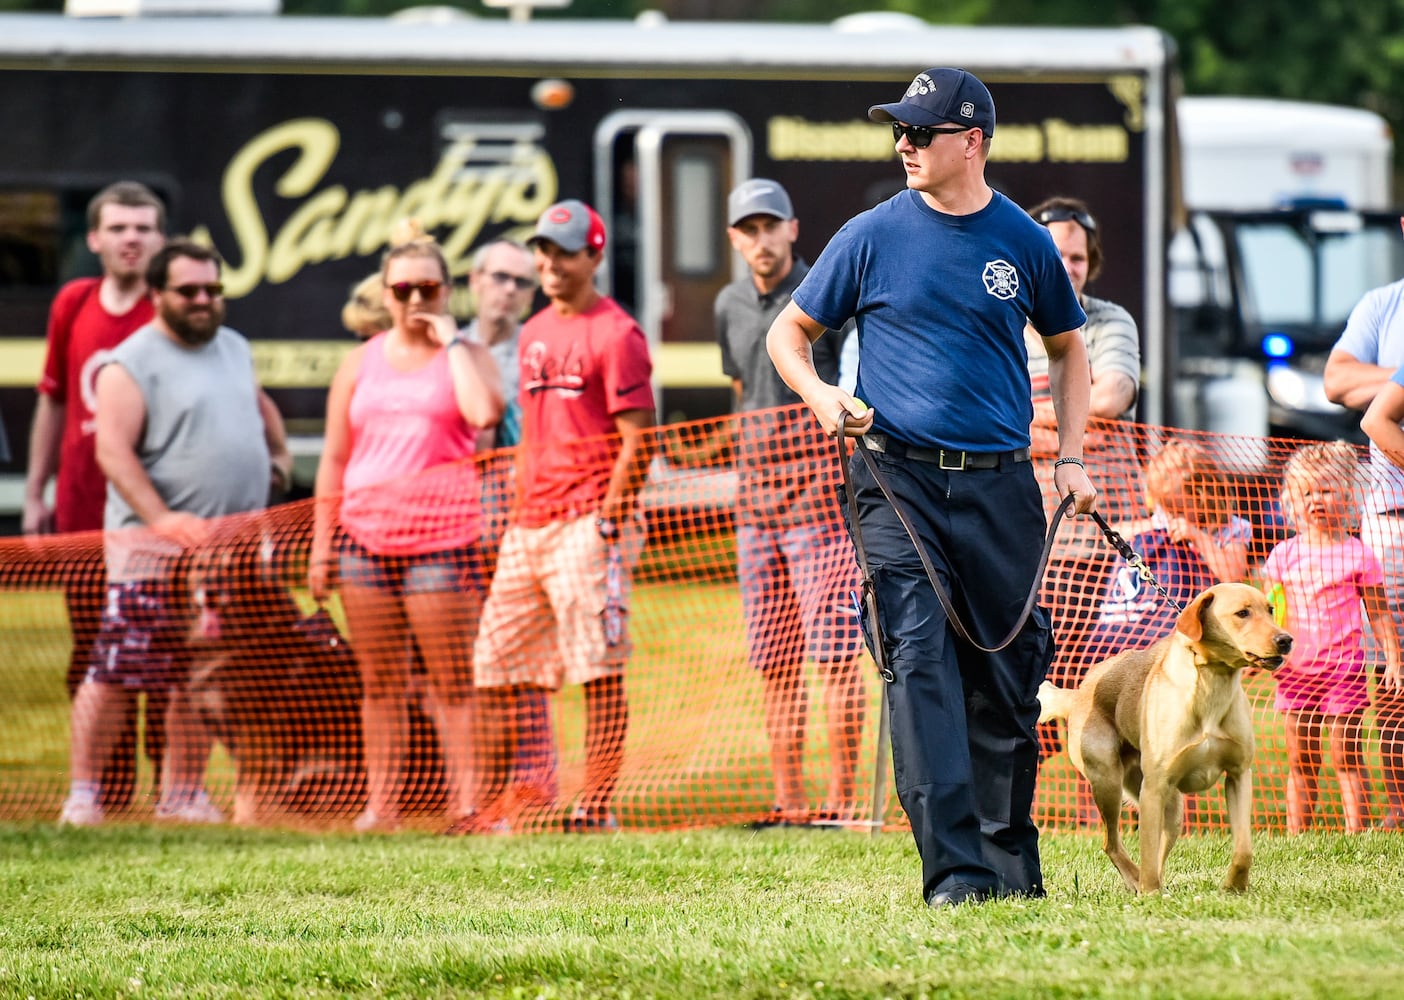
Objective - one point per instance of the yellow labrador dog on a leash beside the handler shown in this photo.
(1169, 720)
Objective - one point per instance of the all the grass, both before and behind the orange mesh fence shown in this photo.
(135, 911)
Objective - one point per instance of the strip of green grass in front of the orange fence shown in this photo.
(143, 912)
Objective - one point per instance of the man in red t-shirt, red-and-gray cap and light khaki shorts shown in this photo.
(557, 607)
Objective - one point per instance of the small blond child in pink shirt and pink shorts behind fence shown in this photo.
(1318, 582)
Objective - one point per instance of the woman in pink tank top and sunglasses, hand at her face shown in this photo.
(398, 477)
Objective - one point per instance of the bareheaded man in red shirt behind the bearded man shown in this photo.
(89, 318)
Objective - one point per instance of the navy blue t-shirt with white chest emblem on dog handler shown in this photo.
(941, 303)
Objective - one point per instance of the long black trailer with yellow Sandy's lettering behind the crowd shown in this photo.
(296, 144)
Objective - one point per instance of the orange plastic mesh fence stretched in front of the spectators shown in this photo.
(280, 690)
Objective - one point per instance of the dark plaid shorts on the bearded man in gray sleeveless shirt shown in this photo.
(141, 643)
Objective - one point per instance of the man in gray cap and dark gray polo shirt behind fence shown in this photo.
(795, 564)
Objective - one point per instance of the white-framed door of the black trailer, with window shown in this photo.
(677, 168)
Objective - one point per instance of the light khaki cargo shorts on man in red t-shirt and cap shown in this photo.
(544, 620)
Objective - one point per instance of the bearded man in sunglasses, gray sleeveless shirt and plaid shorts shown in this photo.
(176, 407)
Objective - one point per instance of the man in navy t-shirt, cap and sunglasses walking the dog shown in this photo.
(941, 279)
